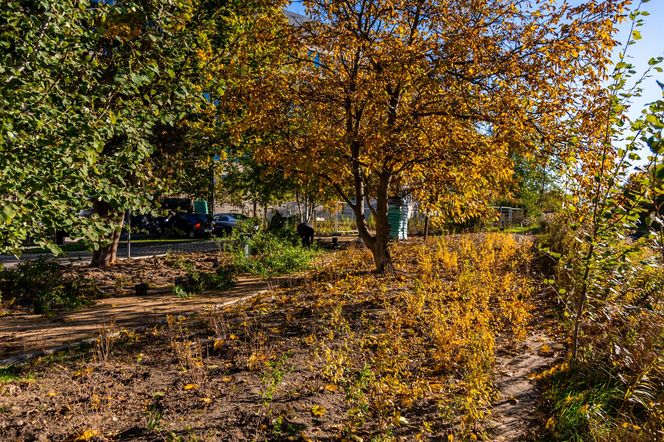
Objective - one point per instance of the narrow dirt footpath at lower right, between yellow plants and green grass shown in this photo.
(515, 414)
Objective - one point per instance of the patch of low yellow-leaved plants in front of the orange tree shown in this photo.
(425, 336)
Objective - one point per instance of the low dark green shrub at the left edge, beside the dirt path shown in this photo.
(45, 286)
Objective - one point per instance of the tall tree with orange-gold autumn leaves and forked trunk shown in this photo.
(431, 98)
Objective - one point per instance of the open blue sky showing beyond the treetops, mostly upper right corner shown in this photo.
(651, 45)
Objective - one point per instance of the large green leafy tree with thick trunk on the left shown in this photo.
(91, 96)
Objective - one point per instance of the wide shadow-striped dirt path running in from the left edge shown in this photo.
(25, 335)
